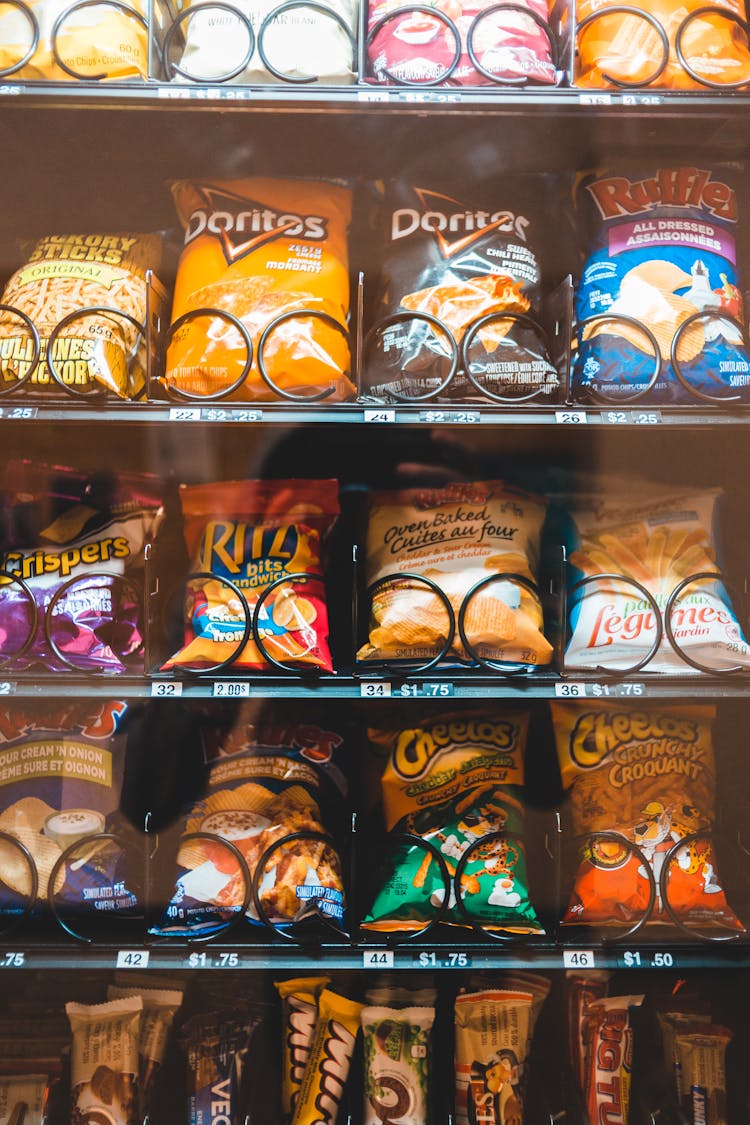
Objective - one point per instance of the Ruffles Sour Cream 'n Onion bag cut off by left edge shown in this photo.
(61, 778)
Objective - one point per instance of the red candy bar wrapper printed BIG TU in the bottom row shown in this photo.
(609, 1059)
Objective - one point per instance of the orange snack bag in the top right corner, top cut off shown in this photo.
(629, 49)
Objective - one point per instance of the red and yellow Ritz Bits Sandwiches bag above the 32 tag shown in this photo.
(252, 534)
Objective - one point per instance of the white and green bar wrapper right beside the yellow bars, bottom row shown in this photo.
(397, 1065)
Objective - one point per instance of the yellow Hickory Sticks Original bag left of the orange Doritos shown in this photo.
(70, 274)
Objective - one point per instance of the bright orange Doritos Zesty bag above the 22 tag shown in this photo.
(259, 249)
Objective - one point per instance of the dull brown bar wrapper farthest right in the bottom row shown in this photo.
(701, 1051)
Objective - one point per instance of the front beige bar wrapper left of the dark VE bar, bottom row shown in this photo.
(105, 1063)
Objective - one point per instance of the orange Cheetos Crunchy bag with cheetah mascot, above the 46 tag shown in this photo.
(648, 776)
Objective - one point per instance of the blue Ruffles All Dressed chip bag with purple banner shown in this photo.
(662, 249)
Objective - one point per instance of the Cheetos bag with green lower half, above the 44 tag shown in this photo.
(453, 780)
